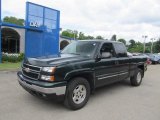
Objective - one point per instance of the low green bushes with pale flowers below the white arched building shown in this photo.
(12, 57)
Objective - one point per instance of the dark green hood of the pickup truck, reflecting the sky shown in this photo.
(62, 59)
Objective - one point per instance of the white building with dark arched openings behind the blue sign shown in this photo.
(13, 40)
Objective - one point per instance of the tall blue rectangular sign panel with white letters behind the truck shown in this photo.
(42, 37)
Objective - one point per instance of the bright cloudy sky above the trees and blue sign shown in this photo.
(128, 19)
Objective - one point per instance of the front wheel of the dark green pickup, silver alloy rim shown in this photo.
(77, 93)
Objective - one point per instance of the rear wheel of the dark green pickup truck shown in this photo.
(136, 80)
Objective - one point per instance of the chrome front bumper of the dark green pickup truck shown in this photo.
(55, 90)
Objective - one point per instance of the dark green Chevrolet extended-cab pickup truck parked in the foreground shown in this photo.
(81, 67)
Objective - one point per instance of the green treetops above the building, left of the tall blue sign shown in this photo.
(13, 20)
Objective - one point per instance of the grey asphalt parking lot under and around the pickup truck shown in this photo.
(119, 101)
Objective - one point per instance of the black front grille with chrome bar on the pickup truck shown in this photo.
(30, 71)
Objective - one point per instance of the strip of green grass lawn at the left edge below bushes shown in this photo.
(9, 66)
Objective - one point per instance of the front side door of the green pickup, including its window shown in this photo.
(106, 71)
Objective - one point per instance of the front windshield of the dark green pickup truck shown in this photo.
(85, 48)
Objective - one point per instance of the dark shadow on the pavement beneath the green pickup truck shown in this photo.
(50, 104)
